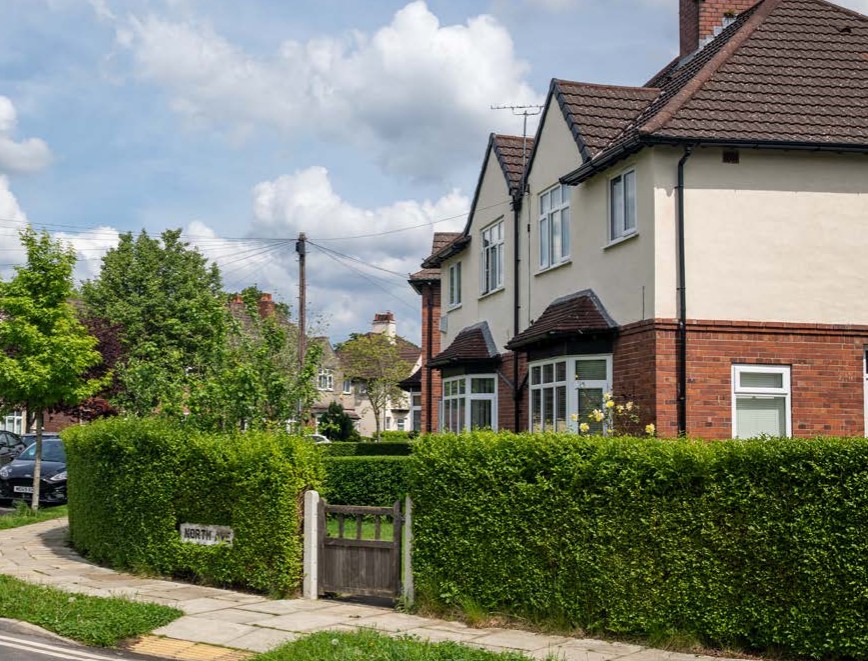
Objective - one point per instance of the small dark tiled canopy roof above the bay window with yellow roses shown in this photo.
(575, 314)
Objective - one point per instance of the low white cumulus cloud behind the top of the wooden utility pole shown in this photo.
(349, 279)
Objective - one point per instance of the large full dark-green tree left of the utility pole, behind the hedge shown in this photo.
(168, 305)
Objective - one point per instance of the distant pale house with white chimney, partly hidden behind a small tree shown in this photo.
(334, 386)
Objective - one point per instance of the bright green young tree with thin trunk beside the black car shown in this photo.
(45, 352)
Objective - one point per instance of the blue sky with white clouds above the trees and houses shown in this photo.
(248, 122)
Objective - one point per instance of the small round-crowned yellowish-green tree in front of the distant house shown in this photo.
(375, 359)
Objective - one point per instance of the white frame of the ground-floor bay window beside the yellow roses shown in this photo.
(572, 385)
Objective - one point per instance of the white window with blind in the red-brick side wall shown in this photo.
(761, 401)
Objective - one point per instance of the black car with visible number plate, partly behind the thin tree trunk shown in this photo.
(16, 478)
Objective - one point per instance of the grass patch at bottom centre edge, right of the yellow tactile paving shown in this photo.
(371, 646)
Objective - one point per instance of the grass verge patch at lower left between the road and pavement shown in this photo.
(91, 620)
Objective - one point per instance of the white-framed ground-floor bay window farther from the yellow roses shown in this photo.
(469, 402)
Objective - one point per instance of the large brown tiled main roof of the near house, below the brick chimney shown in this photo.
(785, 73)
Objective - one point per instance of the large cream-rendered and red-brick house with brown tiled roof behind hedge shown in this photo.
(692, 245)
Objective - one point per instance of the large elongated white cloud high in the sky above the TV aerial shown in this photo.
(415, 93)
